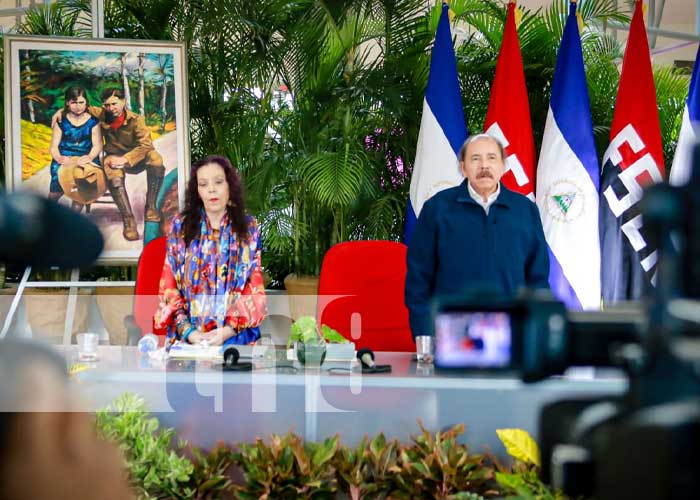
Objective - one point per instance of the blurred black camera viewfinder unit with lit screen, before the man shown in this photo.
(531, 335)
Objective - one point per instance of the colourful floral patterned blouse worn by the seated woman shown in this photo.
(215, 281)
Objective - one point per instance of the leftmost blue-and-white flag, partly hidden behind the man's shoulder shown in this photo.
(442, 128)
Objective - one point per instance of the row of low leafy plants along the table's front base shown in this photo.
(433, 465)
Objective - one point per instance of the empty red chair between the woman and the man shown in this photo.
(371, 274)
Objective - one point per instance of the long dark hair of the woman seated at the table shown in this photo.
(192, 215)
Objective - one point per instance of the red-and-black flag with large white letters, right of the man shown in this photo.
(634, 159)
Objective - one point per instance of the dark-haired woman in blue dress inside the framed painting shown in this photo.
(74, 141)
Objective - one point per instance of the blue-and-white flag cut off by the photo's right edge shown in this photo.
(689, 134)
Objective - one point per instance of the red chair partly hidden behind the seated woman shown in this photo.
(148, 273)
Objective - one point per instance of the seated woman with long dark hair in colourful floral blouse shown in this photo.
(211, 289)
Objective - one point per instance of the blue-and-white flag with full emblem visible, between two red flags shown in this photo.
(568, 180)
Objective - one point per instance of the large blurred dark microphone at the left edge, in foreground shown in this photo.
(35, 231)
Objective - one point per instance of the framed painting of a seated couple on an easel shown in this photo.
(101, 126)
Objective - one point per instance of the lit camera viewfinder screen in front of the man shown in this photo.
(473, 339)
